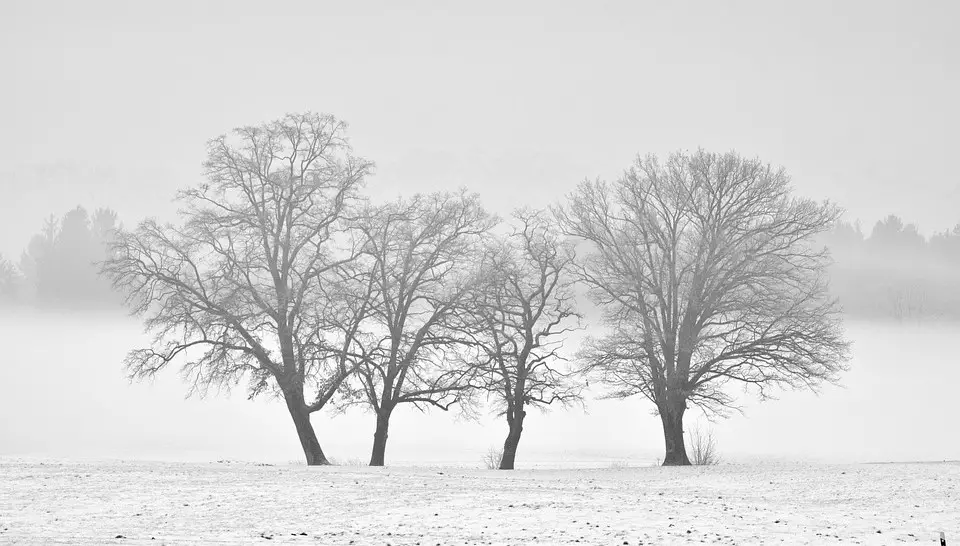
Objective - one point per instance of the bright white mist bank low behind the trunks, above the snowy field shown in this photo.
(65, 395)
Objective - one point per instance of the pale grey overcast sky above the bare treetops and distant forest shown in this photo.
(110, 103)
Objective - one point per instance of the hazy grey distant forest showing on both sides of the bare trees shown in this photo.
(894, 272)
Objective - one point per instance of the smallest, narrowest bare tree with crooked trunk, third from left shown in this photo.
(525, 309)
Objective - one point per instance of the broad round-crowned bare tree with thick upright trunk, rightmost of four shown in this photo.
(706, 273)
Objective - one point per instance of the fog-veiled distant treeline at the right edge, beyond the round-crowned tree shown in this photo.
(895, 272)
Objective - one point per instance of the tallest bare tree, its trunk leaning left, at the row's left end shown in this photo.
(242, 288)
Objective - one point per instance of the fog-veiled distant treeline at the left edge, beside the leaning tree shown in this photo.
(58, 267)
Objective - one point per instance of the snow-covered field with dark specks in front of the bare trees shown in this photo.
(55, 502)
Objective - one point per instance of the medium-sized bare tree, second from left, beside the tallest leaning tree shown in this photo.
(423, 257)
